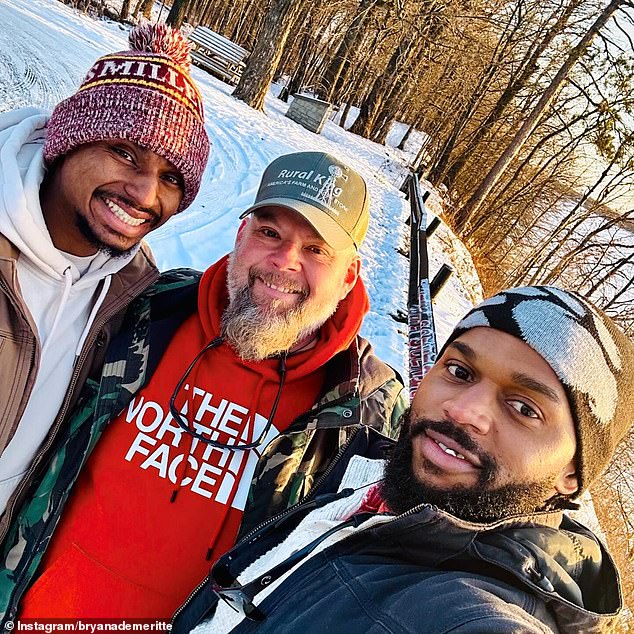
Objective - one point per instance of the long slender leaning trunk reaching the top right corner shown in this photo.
(470, 209)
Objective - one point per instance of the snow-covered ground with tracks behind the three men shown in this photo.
(46, 49)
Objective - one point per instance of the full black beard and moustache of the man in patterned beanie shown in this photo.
(483, 502)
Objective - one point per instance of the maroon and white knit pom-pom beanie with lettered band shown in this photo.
(144, 95)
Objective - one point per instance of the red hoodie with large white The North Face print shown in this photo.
(124, 547)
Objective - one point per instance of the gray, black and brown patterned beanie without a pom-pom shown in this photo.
(590, 355)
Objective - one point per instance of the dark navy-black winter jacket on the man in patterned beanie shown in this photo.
(427, 571)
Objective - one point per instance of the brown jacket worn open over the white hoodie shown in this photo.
(20, 347)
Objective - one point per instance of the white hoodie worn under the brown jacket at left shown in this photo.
(62, 292)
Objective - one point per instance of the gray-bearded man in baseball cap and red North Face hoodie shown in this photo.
(255, 393)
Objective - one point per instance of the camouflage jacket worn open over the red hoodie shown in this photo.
(362, 390)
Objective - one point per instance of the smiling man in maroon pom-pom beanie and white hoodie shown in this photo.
(79, 190)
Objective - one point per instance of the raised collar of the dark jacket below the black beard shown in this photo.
(548, 553)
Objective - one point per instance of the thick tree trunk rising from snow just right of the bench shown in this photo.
(266, 54)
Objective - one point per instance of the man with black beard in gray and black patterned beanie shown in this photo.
(463, 527)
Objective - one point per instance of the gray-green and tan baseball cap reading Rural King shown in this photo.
(326, 192)
